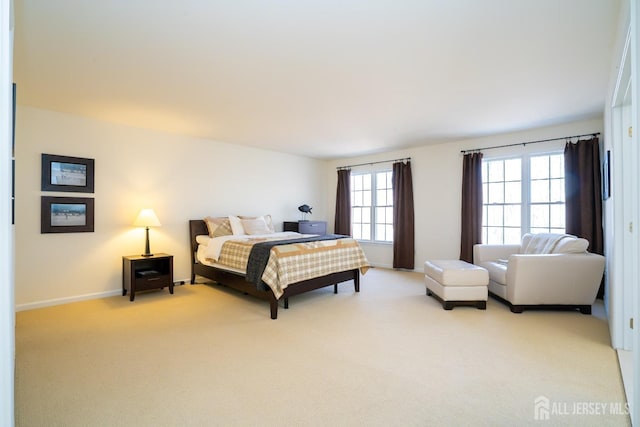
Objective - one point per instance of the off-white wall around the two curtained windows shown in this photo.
(437, 185)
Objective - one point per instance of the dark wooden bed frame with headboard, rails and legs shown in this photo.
(237, 281)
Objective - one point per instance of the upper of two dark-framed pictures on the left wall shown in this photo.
(64, 173)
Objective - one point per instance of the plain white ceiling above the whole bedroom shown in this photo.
(323, 78)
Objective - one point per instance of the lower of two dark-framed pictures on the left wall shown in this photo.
(66, 214)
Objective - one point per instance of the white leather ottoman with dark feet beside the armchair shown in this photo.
(456, 282)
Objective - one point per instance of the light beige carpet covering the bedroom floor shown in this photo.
(386, 356)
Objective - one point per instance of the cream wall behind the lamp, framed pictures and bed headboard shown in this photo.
(182, 178)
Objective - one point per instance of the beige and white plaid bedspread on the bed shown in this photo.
(295, 262)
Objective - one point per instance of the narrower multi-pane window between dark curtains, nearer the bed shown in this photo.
(372, 206)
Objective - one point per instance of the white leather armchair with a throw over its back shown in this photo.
(544, 271)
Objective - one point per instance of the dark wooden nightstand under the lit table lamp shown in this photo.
(140, 273)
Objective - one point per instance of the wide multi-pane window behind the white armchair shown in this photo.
(522, 195)
